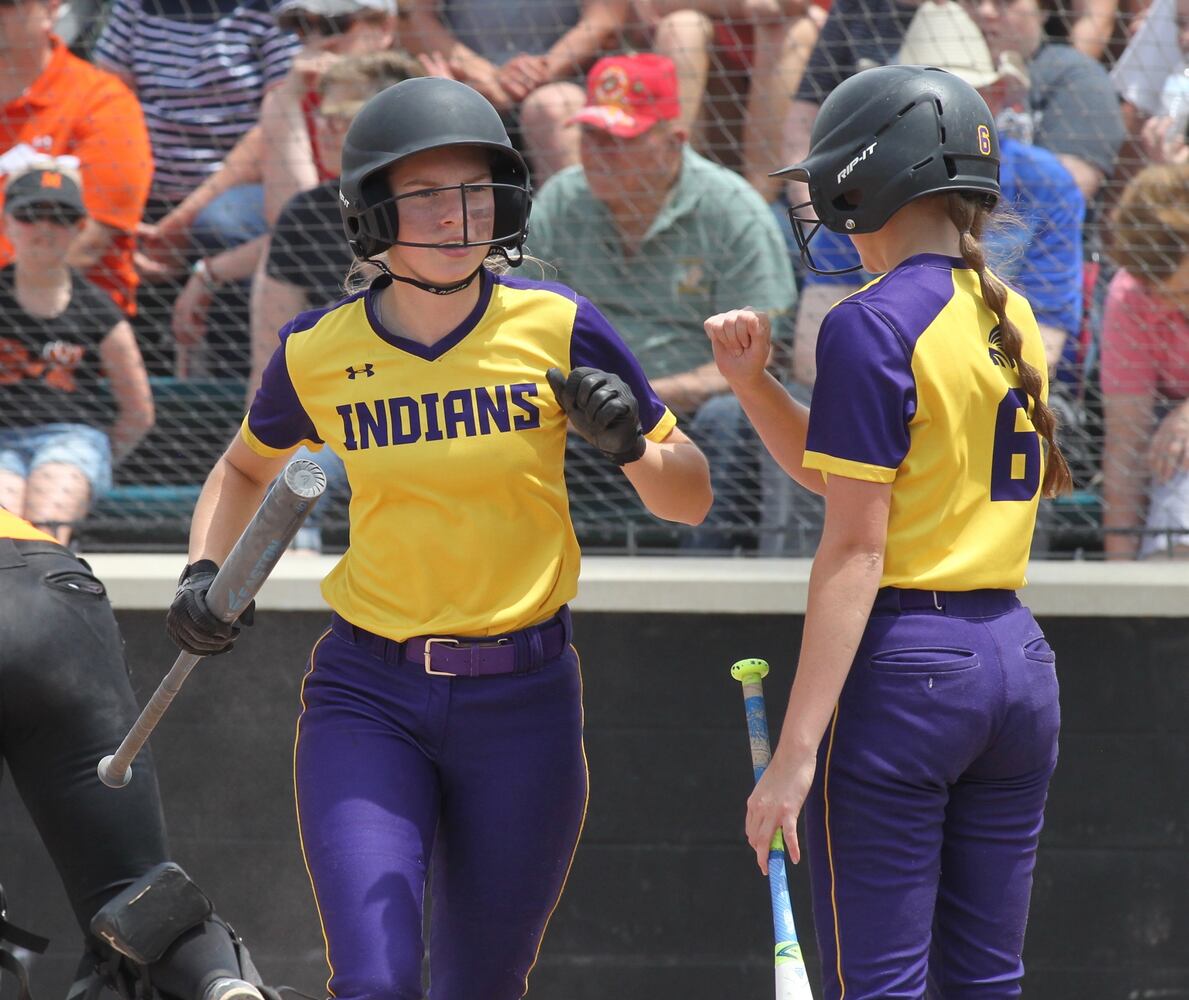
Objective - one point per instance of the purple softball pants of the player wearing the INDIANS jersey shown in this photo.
(482, 778)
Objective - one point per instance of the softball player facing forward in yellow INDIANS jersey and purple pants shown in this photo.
(442, 719)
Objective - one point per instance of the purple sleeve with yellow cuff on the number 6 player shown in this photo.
(865, 395)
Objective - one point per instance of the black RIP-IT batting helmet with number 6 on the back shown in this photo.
(891, 135)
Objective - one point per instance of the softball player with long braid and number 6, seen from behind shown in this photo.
(922, 727)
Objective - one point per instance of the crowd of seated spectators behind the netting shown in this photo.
(171, 199)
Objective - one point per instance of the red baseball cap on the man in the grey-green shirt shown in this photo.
(627, 96)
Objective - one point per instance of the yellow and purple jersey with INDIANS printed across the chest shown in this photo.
(455, 452)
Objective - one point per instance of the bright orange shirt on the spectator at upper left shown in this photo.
(74, 109)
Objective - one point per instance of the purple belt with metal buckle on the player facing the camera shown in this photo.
(458, 656)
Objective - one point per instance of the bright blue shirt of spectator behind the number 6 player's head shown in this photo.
(1040, 255)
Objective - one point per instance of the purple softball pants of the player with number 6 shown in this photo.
(924, 816)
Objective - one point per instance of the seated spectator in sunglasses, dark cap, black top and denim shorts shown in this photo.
(60, 339)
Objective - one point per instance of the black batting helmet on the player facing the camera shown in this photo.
(412, 117)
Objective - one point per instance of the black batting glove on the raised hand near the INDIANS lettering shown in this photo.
(603, 410)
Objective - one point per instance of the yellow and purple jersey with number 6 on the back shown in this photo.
(915, 389)
